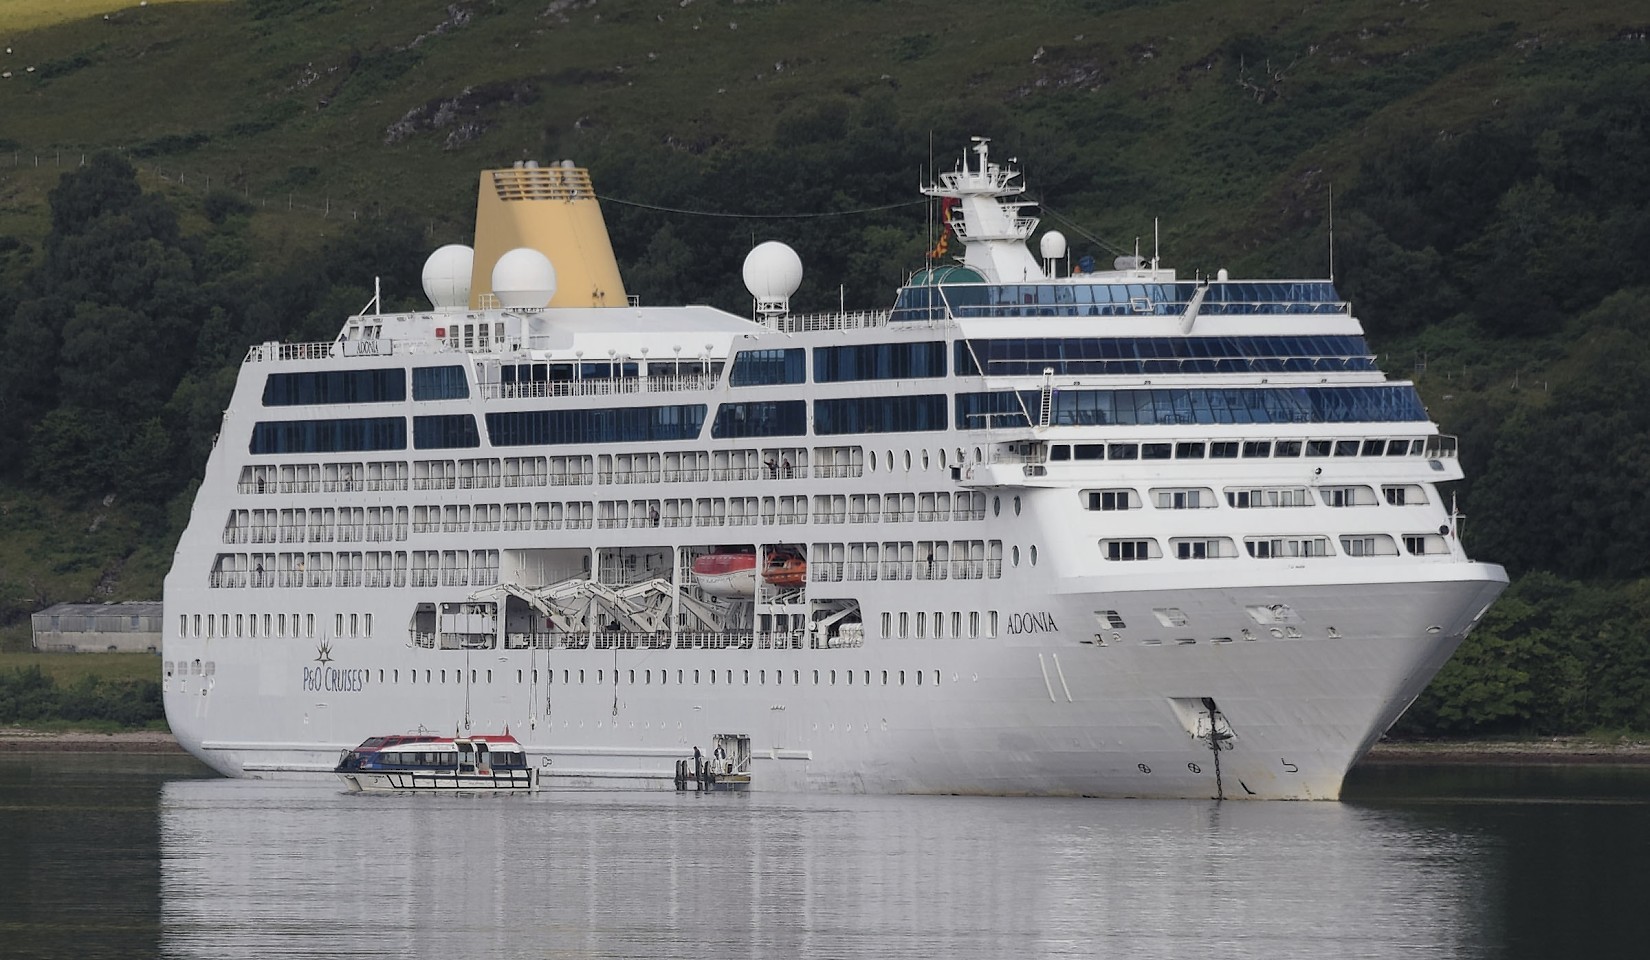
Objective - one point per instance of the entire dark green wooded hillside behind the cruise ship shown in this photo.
(1492, 227)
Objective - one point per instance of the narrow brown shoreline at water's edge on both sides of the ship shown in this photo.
(1461, 753)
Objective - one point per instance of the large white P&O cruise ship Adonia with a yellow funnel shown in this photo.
(1039, 529)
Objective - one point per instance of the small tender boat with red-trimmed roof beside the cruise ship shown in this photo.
(431, 765)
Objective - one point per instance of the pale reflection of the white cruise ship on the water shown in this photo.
(631, 875)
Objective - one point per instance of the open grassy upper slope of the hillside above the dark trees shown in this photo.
(1223, 121)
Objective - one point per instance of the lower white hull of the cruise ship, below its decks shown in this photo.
(1042, 715)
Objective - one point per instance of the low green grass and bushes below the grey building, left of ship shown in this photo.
(82, 690)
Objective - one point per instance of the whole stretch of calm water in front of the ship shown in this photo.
(144, 857)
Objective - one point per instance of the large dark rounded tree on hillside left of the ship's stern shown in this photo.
(103, 337)
